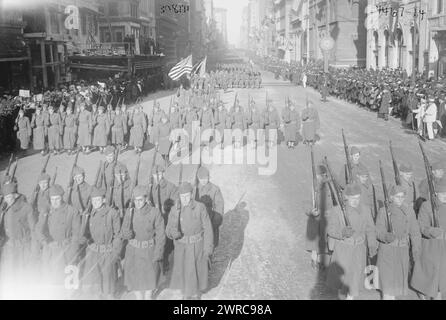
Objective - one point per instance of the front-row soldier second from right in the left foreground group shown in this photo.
(143, 227)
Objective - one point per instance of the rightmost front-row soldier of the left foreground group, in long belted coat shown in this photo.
(191, 229)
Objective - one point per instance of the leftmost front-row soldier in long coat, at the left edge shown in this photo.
(17, 223)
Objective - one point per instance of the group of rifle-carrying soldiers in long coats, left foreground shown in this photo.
(110, 230)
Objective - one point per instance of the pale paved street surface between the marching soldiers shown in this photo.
(262, 239)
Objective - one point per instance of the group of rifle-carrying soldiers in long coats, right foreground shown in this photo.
(403, 239)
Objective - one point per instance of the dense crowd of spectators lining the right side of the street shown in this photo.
(418, 102)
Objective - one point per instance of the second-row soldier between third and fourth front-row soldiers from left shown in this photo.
(122, 189)
